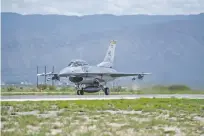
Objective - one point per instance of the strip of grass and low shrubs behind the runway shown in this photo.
(52, 90)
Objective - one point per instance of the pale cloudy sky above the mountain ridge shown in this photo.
(116, 7)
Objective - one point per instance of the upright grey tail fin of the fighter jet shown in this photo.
(110, 55)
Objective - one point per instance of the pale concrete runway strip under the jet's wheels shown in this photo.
(95, 97)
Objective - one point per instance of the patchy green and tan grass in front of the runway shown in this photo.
(93, 117)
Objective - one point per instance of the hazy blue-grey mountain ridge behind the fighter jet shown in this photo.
(171, 47)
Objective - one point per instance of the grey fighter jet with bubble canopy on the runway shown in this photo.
(92, 79)
